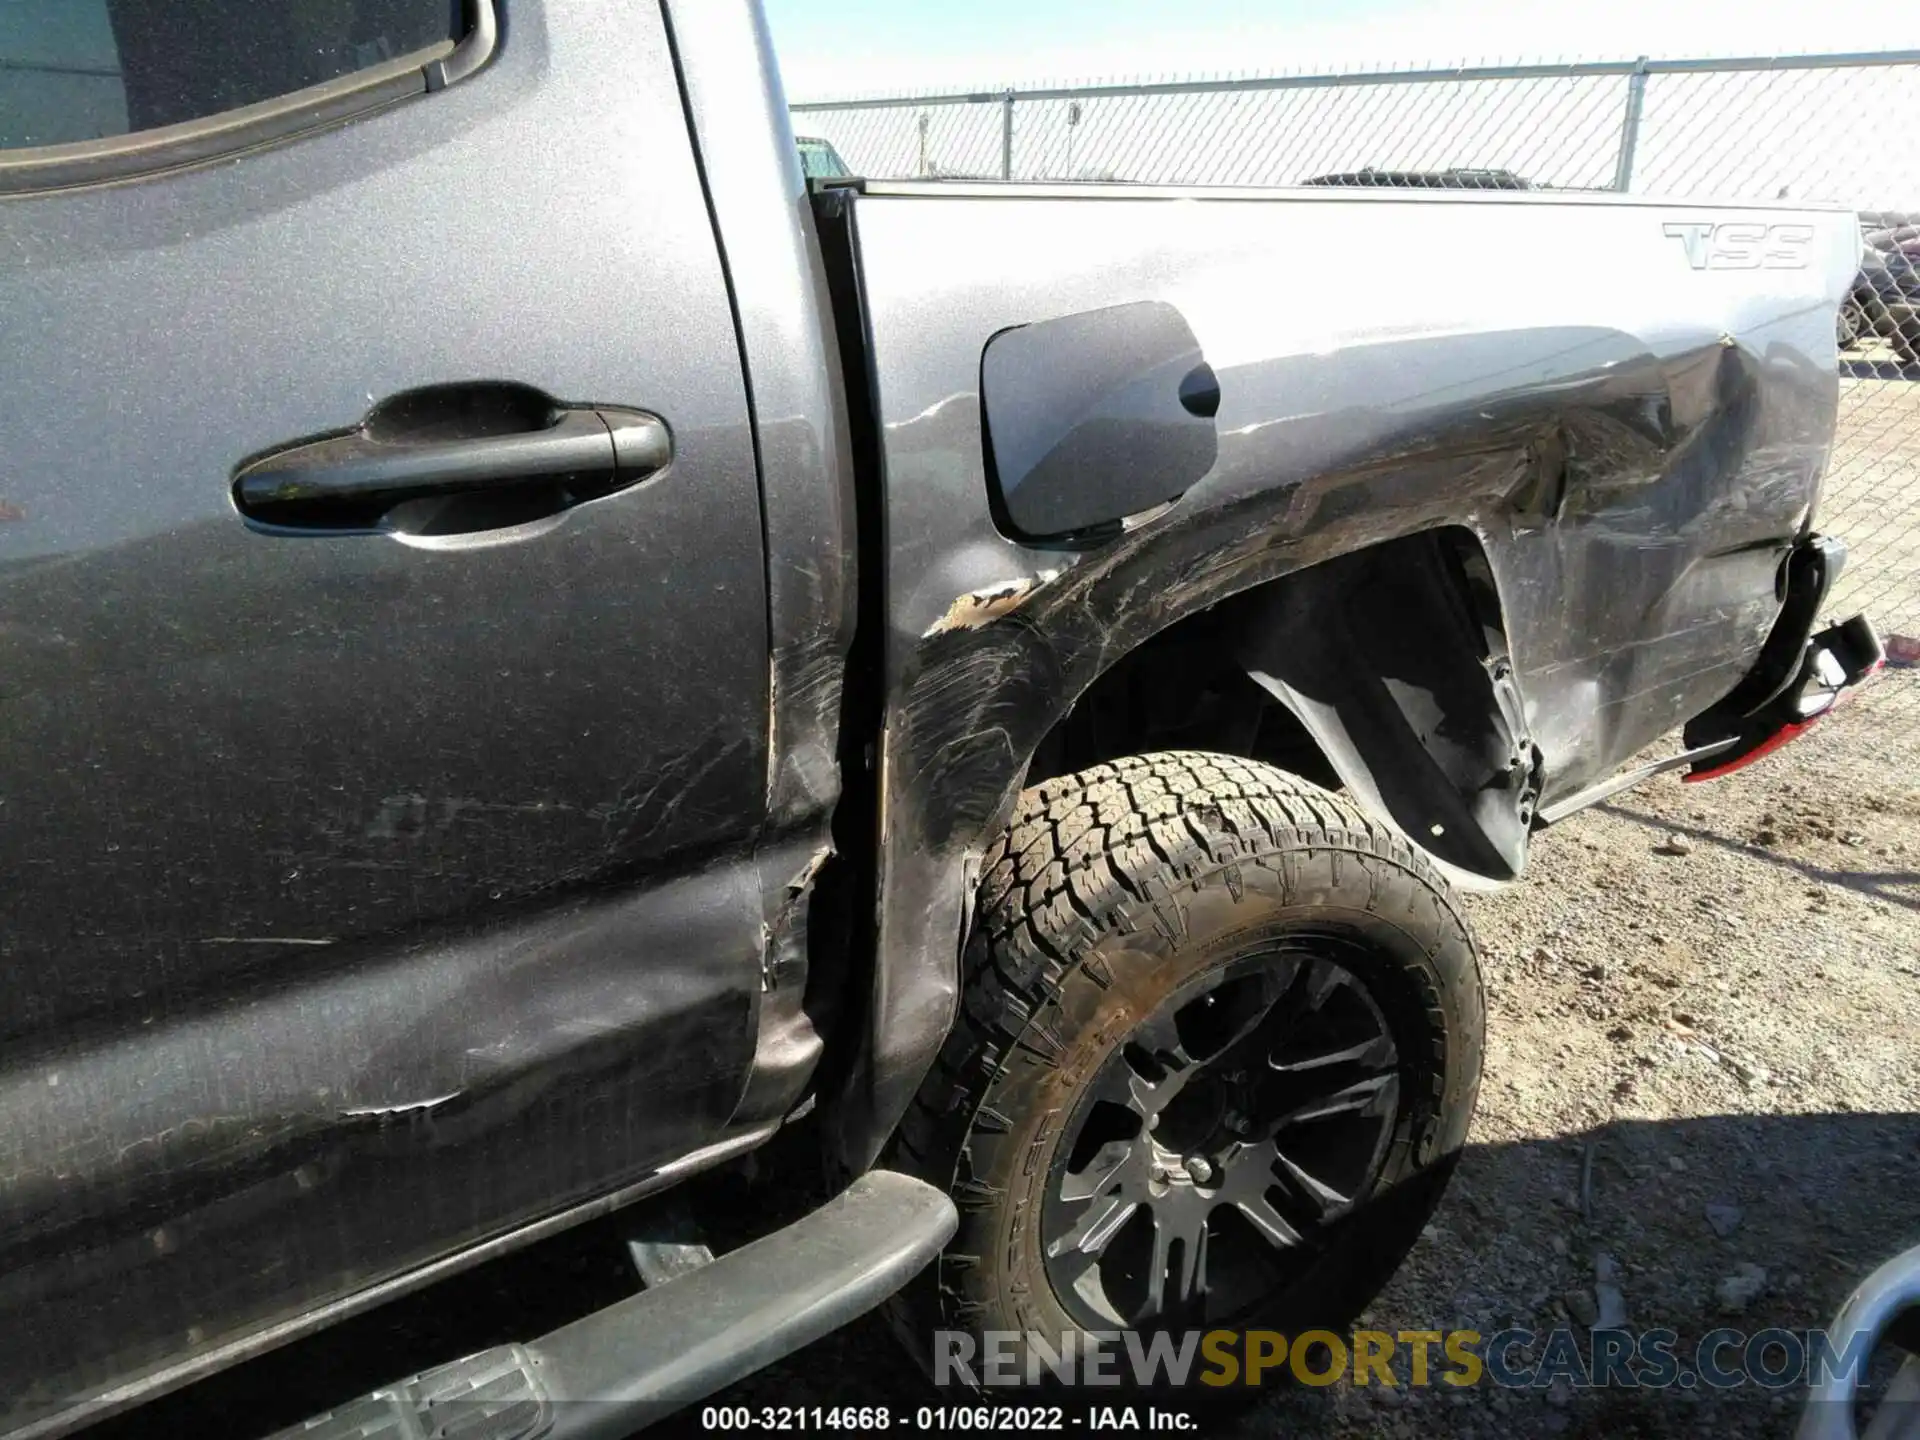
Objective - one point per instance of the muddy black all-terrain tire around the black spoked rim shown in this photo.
(1109, 892)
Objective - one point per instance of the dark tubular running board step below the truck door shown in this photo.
(627, 1366)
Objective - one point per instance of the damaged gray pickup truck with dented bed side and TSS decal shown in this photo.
(542, 654)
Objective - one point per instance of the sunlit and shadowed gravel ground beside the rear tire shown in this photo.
(1704, 999)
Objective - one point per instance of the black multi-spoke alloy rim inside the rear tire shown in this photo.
(1284, 1047)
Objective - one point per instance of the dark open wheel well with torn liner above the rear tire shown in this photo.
(1383, 673)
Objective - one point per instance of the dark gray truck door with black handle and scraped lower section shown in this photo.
(383, 656)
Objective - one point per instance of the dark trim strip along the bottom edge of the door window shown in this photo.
(233, 132)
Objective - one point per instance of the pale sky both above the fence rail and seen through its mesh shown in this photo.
(1836, 135)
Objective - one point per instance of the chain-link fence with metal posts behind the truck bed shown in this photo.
(1812, 128)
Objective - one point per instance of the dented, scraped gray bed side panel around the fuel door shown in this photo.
(1633, 443)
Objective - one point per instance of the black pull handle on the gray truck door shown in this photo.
(435, 479)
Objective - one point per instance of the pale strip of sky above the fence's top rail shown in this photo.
(869, 47)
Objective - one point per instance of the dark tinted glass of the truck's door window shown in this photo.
(95, 70)
